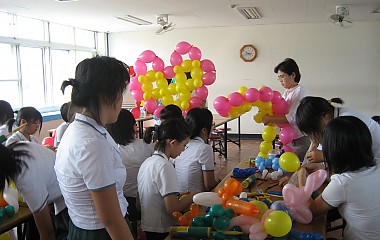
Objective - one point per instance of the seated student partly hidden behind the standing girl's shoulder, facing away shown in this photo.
(133, 153)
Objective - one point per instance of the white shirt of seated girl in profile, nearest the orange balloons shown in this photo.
(156, 180)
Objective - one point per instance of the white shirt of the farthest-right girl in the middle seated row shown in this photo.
(189, 166)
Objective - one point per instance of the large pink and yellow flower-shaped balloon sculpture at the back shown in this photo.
(183, 83)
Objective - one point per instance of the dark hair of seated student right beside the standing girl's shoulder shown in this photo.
(123, 130)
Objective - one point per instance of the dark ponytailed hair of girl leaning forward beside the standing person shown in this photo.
(310, 113)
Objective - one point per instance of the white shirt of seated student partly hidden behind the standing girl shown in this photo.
(133, 155)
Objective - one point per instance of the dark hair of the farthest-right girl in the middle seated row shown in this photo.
(197, 119)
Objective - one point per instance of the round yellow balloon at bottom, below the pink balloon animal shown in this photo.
(278, 224)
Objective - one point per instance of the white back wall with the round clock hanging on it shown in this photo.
(334, 62)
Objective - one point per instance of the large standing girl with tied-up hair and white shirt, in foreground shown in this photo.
(89, 168)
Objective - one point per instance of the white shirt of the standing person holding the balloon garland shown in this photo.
(293, 97)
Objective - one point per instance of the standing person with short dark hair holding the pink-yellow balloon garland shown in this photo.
(289, 76)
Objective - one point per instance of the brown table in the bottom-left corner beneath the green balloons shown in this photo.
(17, 220)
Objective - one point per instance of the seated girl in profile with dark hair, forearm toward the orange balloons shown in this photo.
(157, 180)
